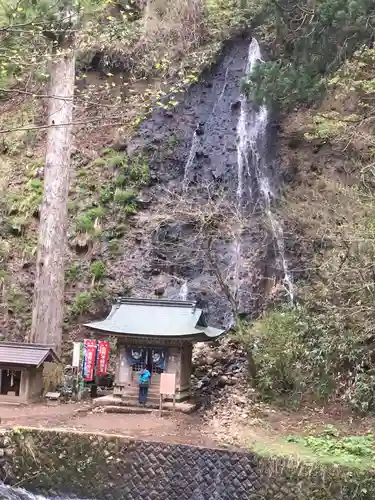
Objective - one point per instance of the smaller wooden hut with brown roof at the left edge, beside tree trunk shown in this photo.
(21, 371)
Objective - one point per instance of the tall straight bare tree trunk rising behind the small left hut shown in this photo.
(48, 307)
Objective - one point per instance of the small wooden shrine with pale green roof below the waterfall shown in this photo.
(156, 334)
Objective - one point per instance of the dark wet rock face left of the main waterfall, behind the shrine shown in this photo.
(189, 229)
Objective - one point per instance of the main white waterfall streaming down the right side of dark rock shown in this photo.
(251, 164)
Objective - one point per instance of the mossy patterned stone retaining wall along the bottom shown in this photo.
(113, 468)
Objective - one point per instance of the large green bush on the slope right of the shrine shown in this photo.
(300, 353)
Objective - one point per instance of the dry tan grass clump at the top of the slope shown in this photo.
(170, 36)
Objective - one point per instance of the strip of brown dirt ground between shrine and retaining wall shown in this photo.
(220, 426)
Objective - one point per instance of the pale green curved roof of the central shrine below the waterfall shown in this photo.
(156, 317)
